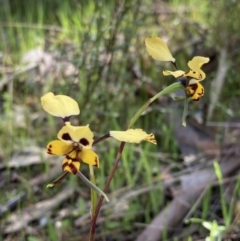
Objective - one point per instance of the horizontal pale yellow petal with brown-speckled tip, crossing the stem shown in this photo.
(133, 136)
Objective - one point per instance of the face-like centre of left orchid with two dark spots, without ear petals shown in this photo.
(75, 143)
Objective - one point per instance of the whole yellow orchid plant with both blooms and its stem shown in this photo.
(75, 143)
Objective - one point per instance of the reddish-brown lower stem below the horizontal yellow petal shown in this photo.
(93, 224)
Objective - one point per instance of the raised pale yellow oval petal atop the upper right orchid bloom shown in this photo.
(158, 49)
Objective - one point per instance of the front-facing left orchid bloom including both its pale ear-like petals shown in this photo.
(75, 142)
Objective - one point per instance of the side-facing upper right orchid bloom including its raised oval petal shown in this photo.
(190, 79)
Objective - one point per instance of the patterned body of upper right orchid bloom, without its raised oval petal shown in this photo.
(190, 79)
